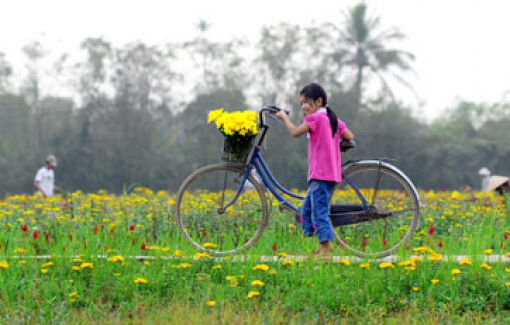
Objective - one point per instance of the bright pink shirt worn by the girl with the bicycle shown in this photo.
(323, 150)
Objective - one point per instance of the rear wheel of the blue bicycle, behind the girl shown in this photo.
(394, 204)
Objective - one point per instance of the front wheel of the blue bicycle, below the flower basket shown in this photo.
(200, 203)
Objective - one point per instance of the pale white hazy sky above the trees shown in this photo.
(461, 46)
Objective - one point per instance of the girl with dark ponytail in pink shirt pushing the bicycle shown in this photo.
(324, 165)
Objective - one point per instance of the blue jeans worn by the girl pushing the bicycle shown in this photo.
(315, 210)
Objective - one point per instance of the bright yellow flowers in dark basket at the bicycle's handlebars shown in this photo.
(238, 129)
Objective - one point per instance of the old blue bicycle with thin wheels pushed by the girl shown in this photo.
(373, 210)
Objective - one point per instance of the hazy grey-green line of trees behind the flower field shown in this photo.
(138, 113)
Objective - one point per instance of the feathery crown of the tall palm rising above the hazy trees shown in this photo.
(363, 48)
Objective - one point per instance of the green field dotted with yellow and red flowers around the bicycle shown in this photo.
(76, 253)
